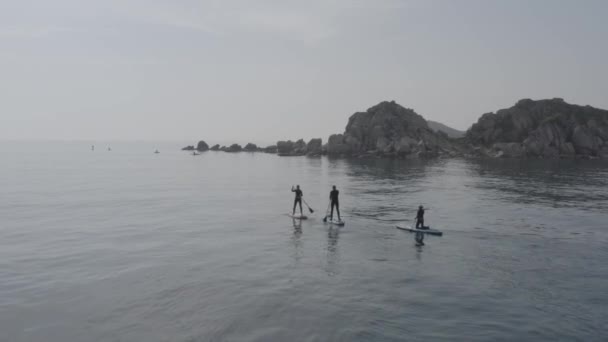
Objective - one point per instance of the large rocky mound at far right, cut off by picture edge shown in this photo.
(544, 128)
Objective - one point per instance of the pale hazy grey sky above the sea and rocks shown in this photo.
(259, 70)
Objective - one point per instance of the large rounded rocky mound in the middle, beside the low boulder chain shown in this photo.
(388, 129)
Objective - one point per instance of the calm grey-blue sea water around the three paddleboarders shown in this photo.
(127, 245)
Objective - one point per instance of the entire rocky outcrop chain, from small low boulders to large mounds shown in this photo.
(530, 129)
